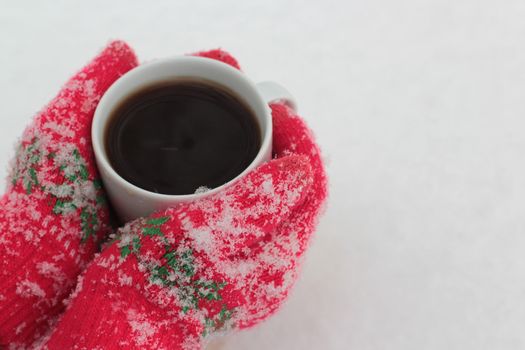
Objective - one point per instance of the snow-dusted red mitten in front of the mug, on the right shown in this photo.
(226, 261)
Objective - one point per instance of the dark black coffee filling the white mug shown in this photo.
(175, 137)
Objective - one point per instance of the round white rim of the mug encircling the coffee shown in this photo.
(104, 107)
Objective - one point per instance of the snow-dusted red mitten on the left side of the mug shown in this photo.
(53, 214)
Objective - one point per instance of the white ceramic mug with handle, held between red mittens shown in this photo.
(130, 201)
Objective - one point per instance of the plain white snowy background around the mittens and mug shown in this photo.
(419, 107)
